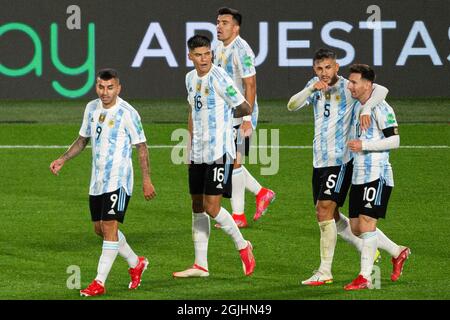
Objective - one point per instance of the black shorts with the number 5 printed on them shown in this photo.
(332, 183)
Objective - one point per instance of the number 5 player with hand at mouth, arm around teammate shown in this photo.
(332, 163)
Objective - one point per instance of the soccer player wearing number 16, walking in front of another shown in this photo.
(214, 100)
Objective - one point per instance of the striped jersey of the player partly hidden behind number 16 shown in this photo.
(238, 60)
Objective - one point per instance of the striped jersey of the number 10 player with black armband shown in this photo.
(369, 166)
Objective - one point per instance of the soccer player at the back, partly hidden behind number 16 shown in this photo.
(236, 57)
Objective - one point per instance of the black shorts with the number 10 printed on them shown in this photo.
(369, 199)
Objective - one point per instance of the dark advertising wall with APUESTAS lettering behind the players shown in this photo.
(120, 27)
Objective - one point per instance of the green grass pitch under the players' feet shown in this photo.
(46, 224)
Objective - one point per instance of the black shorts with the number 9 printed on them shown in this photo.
(109, 206)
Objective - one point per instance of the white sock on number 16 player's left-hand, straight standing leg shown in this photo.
(200, 235)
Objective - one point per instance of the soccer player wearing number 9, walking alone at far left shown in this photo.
(113, 126)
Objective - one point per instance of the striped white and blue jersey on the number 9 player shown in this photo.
(112, 131)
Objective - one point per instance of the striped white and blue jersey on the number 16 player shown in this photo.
(212, 99)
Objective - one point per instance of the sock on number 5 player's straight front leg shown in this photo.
(328, 237)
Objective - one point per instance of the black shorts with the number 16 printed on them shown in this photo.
(211, 179)
